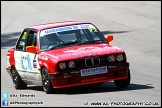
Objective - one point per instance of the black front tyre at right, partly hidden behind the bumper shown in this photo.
(123, 82)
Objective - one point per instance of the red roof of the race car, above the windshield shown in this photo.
(56, 24)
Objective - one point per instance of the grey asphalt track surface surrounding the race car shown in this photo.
(136, 26)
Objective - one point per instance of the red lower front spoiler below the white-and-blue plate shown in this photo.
(77, 80)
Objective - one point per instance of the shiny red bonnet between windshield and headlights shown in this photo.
(81, 51)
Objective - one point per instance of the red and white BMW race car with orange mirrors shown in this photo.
(66, 54)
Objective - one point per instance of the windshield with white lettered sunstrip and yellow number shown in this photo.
(69, 36)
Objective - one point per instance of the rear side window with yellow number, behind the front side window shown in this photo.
(22, 41)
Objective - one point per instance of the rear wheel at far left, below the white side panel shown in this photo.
(17, 81)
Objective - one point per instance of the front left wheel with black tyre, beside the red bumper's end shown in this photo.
(47, 85)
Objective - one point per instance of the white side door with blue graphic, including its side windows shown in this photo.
(27, 62)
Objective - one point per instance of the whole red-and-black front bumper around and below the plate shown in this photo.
(74, 78)
